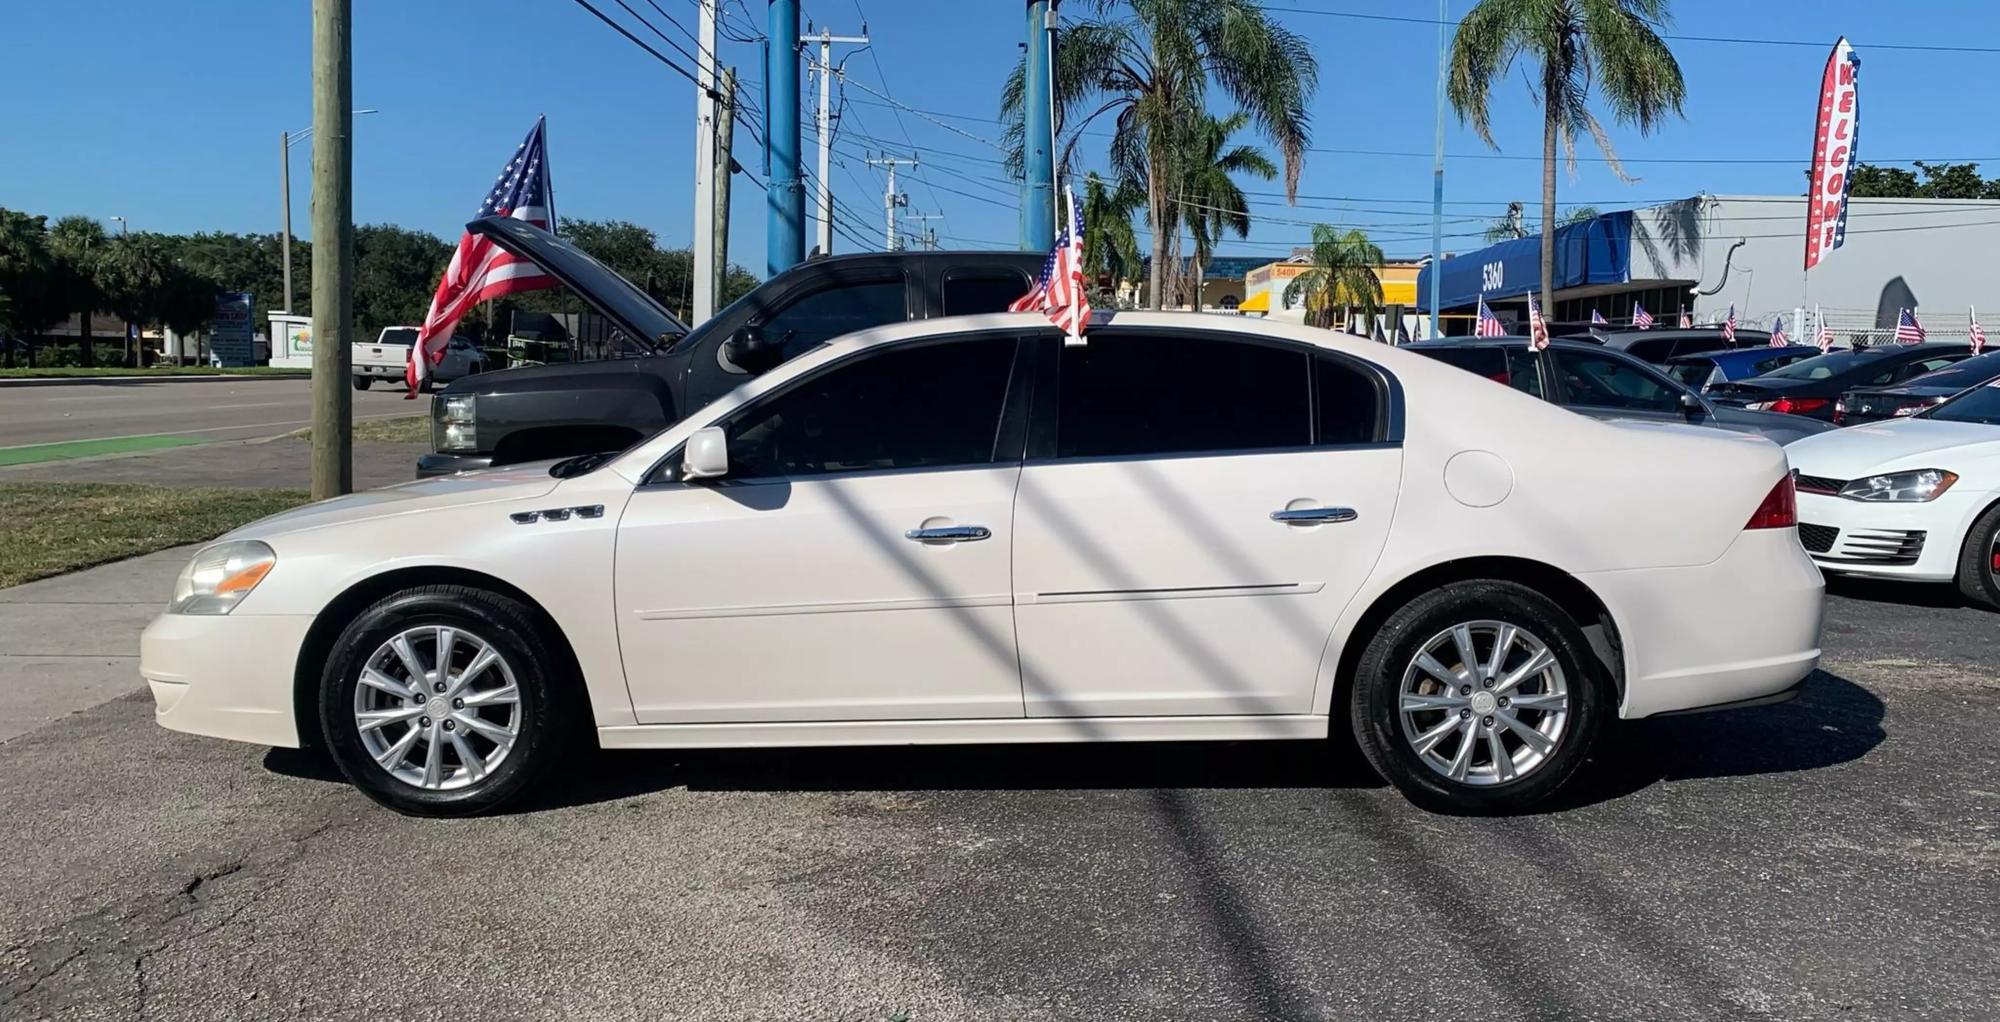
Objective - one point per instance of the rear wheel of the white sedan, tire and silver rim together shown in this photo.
(1479, 697)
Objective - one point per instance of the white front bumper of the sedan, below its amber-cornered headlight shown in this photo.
(225, 675)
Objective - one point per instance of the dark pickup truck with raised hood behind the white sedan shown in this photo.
(669, 371)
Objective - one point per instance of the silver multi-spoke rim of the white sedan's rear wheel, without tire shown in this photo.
(1485, 703)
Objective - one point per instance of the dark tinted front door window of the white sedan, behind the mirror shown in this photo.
(929, 407)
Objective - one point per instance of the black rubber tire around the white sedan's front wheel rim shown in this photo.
(551, 707)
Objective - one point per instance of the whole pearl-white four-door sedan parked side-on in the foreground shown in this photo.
(965, 531)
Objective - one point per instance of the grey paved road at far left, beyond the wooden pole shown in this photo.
(191, 409)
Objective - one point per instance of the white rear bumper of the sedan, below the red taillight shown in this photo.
(1739, 629)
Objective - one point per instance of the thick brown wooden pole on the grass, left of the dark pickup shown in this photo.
(333, 247)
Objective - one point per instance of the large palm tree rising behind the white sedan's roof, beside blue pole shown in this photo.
(1151, 71)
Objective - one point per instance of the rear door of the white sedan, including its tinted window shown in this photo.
(1195, 513)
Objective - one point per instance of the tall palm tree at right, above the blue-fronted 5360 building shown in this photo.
(1577, 45)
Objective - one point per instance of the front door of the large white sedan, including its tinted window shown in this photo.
(853, 565)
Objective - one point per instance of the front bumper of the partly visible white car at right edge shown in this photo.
(1917, 543)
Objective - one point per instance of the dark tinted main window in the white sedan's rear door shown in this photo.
(1167, 395)
